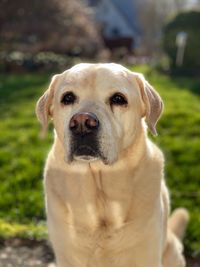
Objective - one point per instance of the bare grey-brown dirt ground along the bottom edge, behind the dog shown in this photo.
(27, 253)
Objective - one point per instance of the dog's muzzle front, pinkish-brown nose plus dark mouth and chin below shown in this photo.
(84, 127)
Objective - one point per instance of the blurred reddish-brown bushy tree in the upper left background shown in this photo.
(62, 26)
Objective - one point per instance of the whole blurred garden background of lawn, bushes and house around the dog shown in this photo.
(160, 38)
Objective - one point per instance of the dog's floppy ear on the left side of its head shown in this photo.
(44, 103)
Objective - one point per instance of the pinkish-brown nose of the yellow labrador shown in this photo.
(83, 123)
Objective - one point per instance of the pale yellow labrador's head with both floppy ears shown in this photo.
(97, 110)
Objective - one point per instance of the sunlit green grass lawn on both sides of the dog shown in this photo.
(22, 152)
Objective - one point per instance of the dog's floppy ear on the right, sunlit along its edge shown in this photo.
(153, 103)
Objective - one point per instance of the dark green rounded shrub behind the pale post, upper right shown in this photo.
(184, 22)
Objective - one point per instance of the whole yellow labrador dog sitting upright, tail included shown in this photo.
(106, 198)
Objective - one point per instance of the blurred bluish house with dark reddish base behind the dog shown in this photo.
(119, 23)
